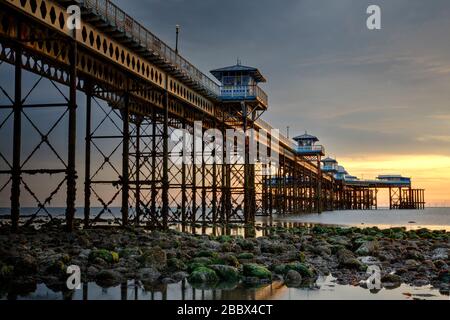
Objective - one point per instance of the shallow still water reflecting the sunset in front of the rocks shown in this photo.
(326, 289)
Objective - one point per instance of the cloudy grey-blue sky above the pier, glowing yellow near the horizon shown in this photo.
(377, 99)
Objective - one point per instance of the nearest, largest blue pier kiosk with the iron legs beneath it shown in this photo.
(242, 103)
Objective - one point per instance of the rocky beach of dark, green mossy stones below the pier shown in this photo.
(296, 256)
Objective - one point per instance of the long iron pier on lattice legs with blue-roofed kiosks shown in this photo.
(138, 92)
